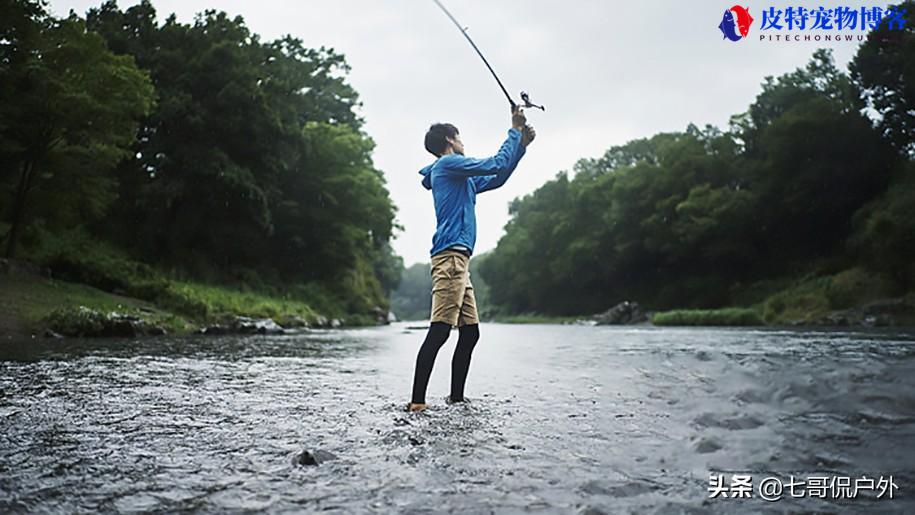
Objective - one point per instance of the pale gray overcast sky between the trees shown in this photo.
(607, 71)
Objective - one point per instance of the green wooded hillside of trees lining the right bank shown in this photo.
(817, 174)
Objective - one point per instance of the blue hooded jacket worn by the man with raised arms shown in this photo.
(455, 181)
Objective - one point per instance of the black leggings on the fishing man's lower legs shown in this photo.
(460, 364)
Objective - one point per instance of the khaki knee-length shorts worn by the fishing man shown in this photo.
(452, 293)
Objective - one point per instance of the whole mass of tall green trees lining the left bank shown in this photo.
(197, 147)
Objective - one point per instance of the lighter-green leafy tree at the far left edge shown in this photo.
(74, 118)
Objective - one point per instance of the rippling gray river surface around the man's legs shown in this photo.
(561, 419)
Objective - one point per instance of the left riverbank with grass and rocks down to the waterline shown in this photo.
(34, 304)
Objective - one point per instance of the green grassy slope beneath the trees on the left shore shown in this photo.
(104, 279)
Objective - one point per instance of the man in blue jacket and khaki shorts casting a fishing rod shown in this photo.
(455, 181)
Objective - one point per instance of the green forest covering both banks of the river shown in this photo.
(178, 163)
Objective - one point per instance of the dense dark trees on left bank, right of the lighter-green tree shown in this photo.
(253, 160)
